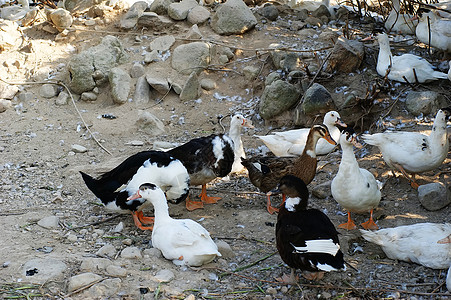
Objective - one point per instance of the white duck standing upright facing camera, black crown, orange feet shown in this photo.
(354, 188)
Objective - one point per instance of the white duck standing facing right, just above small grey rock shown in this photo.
(413, 152)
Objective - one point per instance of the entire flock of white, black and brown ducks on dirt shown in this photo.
(306, 238)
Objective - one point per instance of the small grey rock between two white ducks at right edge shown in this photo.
(433, 196)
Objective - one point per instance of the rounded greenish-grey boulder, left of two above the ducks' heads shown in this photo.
(278, 98)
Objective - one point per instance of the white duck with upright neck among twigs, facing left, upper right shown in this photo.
(406, 67)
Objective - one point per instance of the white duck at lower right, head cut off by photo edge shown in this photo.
(418, 243)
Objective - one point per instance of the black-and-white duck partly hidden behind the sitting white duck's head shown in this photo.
(114, 187)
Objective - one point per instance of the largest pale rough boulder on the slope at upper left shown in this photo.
(91, 67)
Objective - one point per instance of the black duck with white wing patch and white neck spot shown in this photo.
(300, 227)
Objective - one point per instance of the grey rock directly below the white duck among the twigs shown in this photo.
(425, 102)
